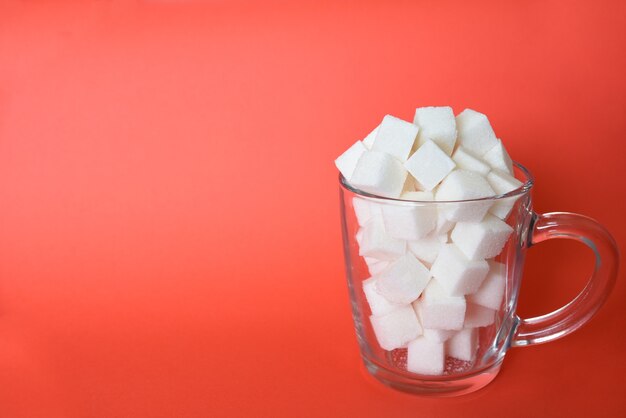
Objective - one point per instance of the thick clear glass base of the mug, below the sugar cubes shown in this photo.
(438, 386)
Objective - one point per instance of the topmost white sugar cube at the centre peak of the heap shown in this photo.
(437, 124)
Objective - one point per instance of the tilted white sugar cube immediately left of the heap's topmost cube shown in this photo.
(395, 137)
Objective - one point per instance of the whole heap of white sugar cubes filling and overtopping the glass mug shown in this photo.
(434, 281)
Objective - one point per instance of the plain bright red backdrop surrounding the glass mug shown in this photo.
(169, 228)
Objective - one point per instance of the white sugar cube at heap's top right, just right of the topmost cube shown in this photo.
(475, 132)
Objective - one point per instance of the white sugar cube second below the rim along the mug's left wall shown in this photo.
(374, 242)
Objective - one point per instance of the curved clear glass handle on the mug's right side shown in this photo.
(576, 313)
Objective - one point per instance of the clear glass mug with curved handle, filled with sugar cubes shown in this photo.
(503, 328)
